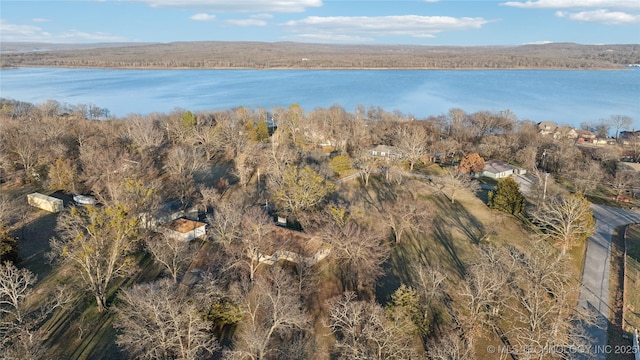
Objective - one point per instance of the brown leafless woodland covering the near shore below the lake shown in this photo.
(329, 234)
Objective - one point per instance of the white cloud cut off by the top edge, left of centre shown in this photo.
(286, 6)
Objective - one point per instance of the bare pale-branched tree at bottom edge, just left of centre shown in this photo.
(273, 312)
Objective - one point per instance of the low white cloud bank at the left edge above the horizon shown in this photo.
(30, 33)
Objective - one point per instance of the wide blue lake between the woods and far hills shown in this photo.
(569, 97)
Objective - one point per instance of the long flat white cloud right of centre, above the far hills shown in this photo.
(367, 27)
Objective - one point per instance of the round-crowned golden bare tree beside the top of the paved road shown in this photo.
(565, 220)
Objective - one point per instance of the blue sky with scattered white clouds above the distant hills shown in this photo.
(426, 22)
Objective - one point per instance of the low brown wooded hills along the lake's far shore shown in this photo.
(287, 55)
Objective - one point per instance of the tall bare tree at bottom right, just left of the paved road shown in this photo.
(544, 311)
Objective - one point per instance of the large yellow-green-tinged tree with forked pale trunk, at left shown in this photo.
(98, 243)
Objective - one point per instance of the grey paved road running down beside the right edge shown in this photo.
(594, 293)
